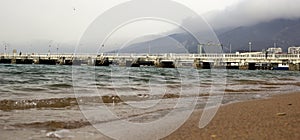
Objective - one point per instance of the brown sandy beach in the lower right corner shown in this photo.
(275, 118)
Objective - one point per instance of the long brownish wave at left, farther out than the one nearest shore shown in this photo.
(8, 105)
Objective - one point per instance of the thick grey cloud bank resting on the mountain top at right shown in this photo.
(250, 12)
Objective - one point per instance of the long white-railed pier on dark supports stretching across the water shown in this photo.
(243, 61)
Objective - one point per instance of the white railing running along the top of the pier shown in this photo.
(165, 55)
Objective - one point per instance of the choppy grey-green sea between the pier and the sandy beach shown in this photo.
(73, 102)
